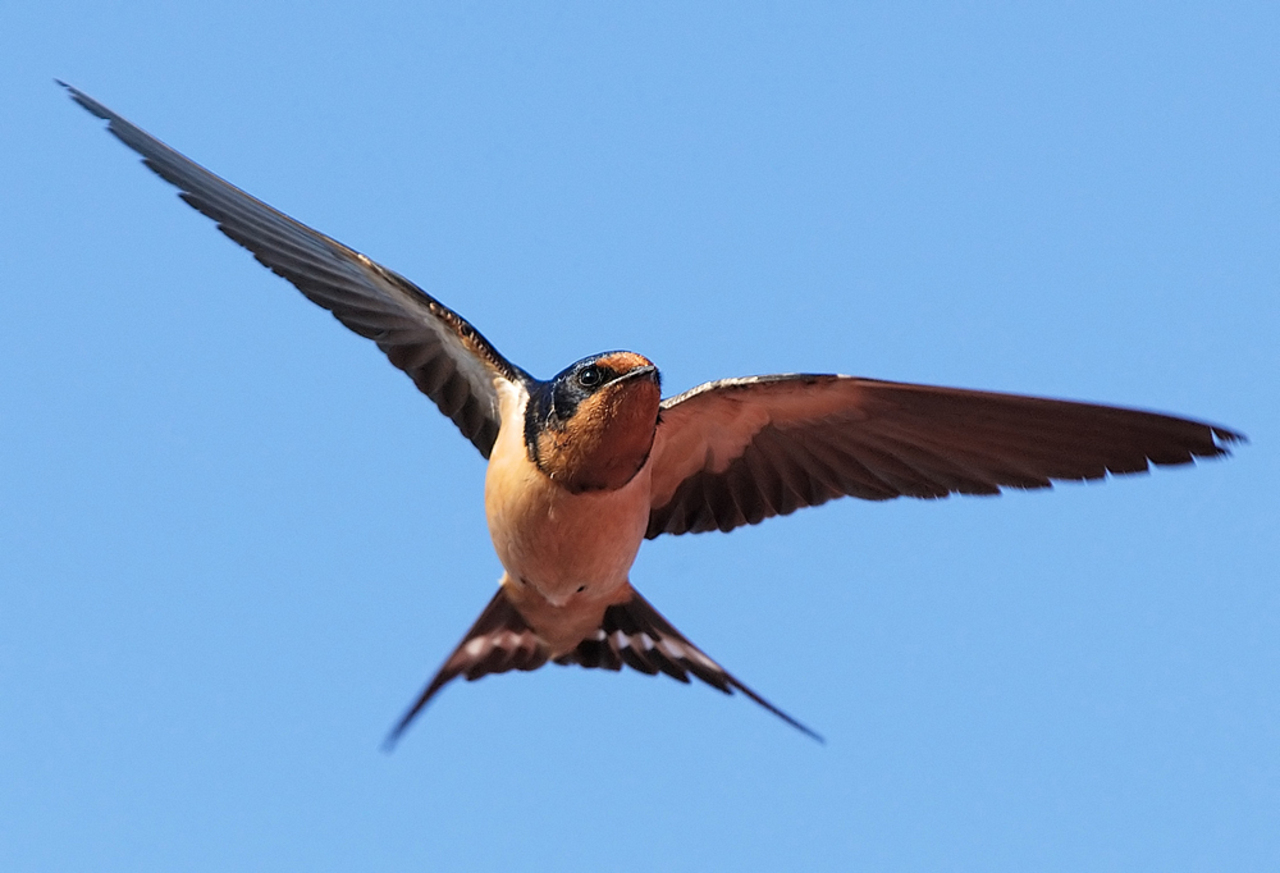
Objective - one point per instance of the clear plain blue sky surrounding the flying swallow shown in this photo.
(235, 542)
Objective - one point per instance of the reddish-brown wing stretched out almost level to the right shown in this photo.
(739, 451)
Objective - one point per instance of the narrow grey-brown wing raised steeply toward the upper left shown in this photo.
(446, 358)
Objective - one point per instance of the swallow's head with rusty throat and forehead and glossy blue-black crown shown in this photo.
(592, 427)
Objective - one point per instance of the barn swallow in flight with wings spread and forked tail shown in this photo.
(586, 467)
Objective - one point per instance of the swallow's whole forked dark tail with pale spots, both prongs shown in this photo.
(632, 634)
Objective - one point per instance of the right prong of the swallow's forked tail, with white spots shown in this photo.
(637, 636)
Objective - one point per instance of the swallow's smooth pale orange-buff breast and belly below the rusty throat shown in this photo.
(564, 546)
